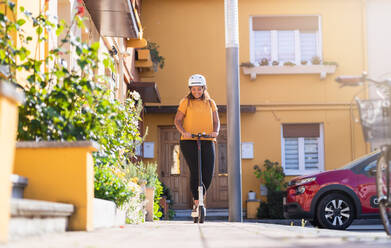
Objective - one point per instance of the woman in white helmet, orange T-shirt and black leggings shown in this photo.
(197, 114)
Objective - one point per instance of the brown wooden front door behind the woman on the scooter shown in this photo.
(175, 174)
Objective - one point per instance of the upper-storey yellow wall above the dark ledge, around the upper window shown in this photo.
(192, 39)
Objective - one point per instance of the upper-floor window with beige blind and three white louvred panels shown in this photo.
(284, 39)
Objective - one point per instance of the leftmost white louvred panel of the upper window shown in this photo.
(262, 45)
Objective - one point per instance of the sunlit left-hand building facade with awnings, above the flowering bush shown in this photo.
(115, 25)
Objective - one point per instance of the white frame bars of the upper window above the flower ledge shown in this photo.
(274, 45)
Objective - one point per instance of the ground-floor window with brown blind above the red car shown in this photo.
(302, 148)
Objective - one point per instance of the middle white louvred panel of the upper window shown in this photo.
(286, 46)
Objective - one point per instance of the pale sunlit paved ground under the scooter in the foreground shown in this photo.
(209, 235)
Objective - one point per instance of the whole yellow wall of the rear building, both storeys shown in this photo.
(192, 40)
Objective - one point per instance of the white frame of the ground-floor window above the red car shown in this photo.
(302, 170)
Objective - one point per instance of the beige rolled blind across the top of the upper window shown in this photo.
(303, 23)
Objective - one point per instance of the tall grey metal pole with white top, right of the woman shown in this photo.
(233, 111)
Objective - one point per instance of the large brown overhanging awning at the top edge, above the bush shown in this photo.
(114, 18)
